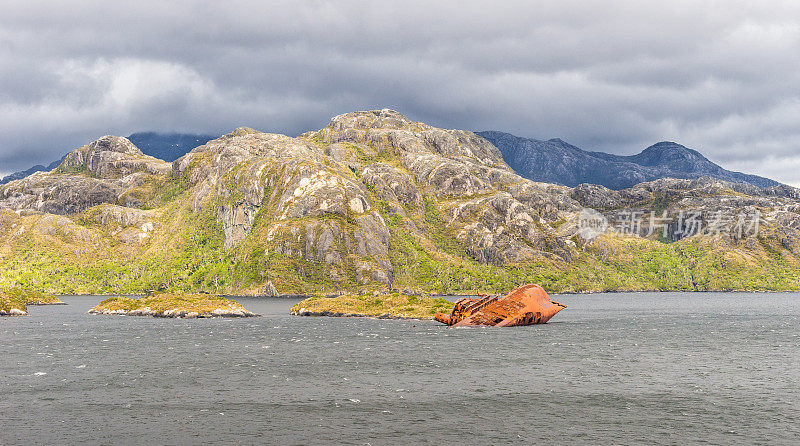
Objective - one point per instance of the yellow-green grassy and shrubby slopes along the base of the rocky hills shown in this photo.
(186, 254)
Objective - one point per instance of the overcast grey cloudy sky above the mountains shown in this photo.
(720, 77)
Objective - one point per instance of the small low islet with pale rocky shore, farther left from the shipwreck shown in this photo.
(173, 305)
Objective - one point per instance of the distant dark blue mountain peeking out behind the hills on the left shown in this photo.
(165, 146)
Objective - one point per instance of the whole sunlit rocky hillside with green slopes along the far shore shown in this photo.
(373, 201)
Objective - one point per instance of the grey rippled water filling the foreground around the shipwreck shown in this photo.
(638, 368)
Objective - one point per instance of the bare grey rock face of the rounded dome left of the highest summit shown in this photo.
(291, 179)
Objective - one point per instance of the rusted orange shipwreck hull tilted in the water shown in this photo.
(526, 305)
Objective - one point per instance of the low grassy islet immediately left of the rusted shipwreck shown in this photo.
(385, 306)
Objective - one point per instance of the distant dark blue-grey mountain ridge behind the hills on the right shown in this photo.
(555, 161)
